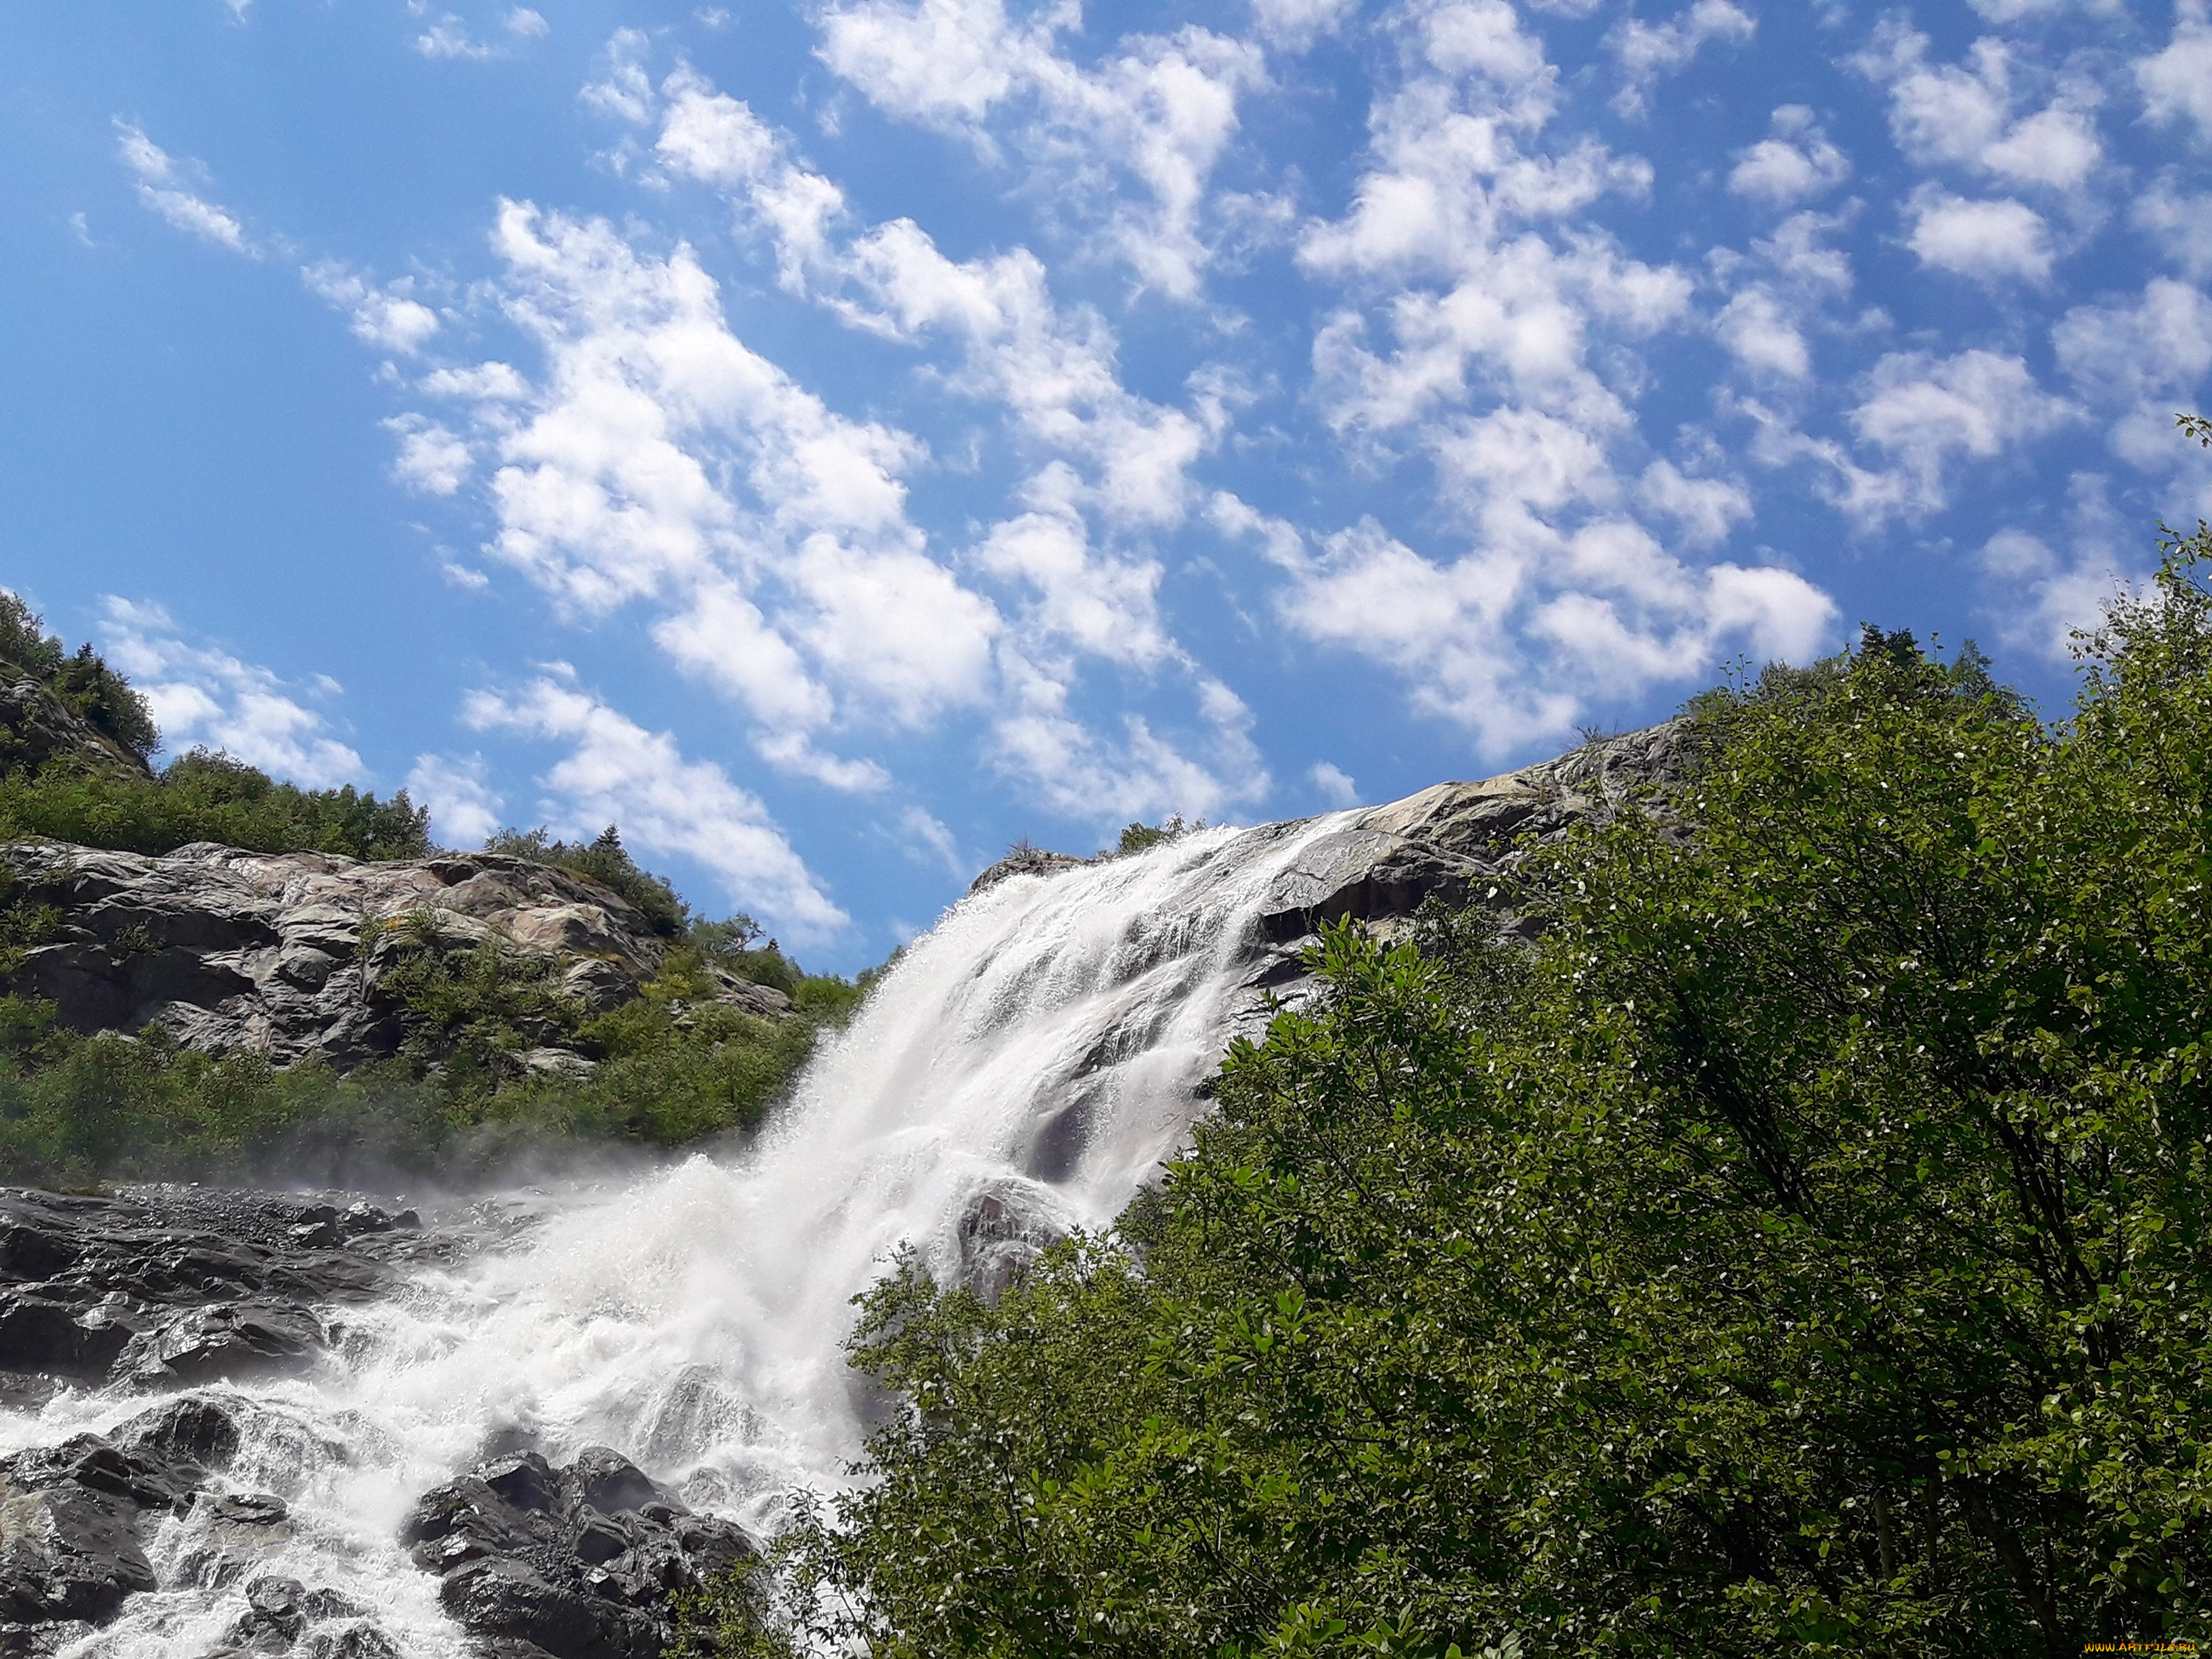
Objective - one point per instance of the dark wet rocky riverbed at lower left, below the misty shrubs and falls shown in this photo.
(185, 1295)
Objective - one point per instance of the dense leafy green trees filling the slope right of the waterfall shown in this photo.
(1806, 1249)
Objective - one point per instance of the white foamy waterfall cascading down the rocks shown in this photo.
(1030, 1061)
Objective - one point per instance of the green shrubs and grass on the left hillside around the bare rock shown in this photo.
(472, 1083)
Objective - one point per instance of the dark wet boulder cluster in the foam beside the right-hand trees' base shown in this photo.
(578, 1563)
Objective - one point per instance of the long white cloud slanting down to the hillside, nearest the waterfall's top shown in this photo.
(620, 773)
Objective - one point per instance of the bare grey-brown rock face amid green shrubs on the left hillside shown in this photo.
(240, 950)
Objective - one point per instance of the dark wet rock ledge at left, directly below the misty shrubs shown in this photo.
(185, 1286)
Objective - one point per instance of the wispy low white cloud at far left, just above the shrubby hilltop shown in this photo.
(209, 698)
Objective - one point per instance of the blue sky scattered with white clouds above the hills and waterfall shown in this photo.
(835, 441)
